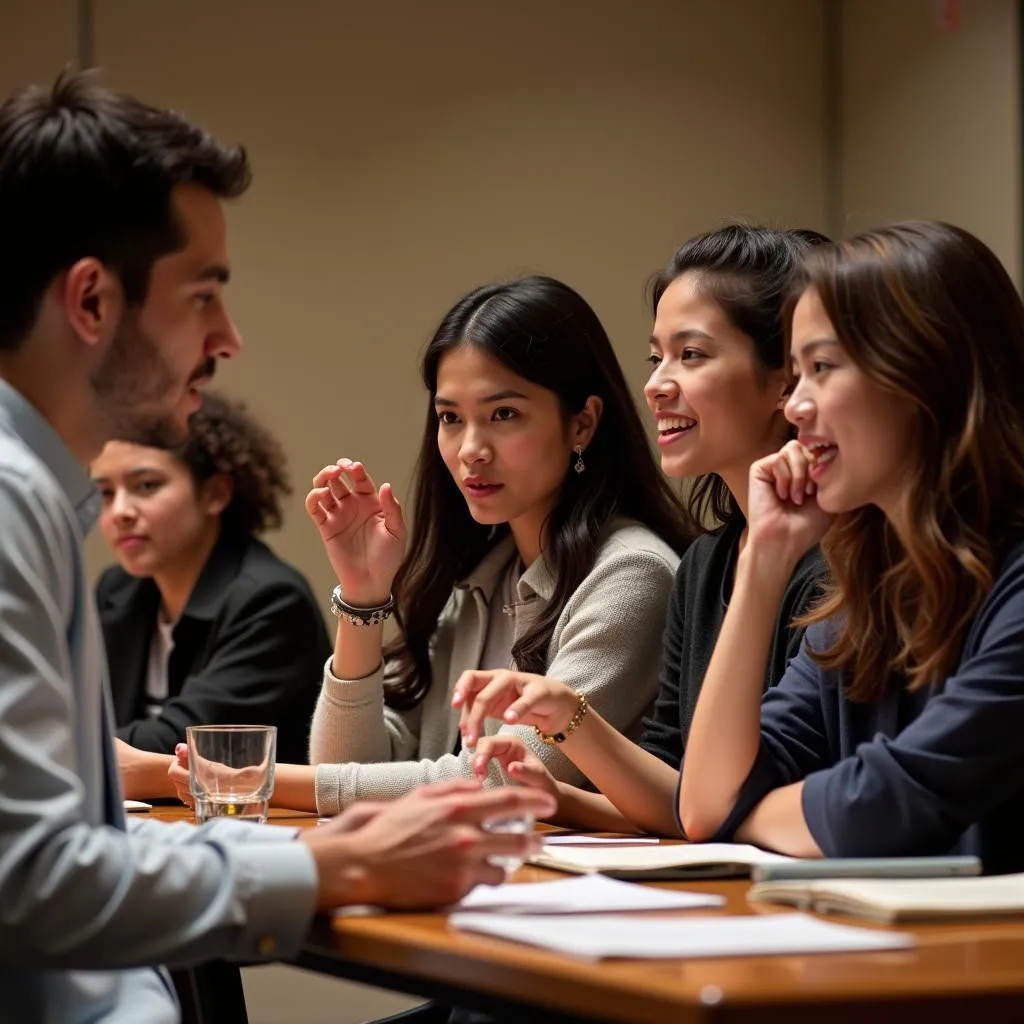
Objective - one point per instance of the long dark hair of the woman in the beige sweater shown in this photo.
(546, 333)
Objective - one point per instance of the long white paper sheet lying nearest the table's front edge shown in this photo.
(596, 936)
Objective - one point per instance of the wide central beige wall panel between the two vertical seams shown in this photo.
(407, 153)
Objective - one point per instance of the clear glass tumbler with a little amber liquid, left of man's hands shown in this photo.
(231, 771)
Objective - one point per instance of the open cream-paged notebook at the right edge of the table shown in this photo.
(890, 901)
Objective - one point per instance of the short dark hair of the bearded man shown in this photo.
(88, 172)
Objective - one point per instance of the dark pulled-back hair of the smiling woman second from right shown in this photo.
(748, 273)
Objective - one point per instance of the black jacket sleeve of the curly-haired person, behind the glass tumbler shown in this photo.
(271, 649)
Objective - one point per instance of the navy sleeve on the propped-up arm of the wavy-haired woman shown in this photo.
(794, 741)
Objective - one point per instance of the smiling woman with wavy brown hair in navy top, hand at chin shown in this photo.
(898, 730)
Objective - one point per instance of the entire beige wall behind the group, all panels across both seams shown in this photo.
(407, 153)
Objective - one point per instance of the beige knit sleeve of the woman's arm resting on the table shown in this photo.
(609, 650)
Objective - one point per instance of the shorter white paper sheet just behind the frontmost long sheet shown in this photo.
(585, 894)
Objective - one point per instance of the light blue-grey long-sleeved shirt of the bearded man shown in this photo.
(88, 908)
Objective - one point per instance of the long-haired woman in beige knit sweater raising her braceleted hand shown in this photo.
(543, 537)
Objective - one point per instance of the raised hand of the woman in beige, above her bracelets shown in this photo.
(362, 528)
